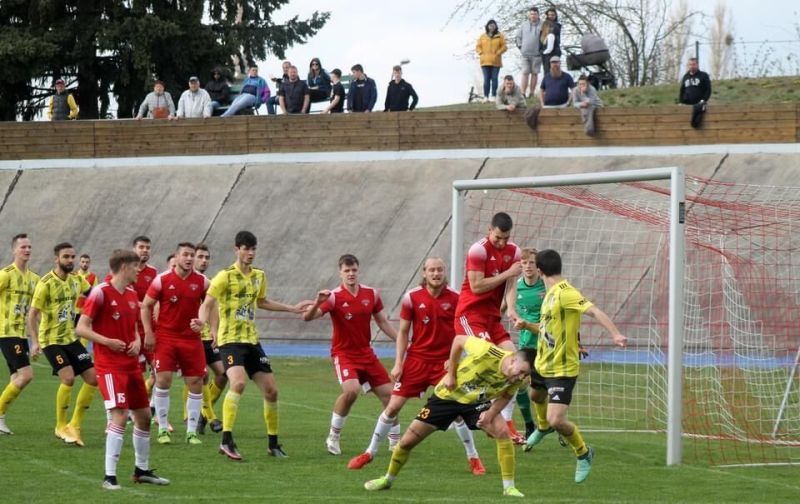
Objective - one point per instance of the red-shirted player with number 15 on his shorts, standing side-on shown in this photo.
(109, 320)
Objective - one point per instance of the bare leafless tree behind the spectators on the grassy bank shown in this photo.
(635, 30)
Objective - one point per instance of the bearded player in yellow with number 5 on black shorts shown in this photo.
(54, 300)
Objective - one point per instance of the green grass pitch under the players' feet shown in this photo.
(36, 467)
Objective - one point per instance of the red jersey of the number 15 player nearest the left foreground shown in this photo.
(114, 315)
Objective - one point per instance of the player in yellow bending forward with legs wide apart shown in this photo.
(486, 373)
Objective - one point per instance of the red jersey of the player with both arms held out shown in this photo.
(351, 317)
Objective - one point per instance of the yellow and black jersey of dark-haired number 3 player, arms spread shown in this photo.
(237, 295)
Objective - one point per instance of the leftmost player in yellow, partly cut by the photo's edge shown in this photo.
(17, 284)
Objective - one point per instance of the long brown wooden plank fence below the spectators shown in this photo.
(643, 126)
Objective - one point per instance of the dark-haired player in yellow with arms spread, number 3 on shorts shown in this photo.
(237, 292)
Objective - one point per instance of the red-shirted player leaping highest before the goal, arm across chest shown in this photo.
(493, 265)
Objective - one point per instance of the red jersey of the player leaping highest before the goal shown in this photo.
(484, 257)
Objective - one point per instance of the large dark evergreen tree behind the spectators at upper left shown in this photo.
(121, 46)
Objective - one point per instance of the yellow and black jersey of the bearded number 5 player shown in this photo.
(56, 299)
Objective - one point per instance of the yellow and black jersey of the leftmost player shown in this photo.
(16, 292)
